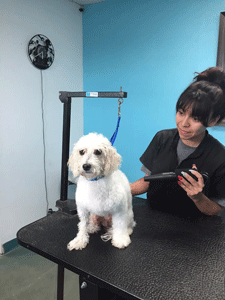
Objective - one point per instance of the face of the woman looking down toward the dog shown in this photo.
(191, 130)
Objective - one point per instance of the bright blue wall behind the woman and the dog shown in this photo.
(151, 49)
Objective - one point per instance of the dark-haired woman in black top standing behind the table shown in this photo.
(189, 146)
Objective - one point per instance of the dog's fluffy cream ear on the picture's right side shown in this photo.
(112, 160)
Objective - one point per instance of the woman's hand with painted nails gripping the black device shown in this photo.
(193, 188)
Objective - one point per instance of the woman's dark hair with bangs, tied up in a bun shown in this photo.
(205, 96)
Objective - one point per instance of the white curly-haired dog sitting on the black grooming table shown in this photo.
(102, 190)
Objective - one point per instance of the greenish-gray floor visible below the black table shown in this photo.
(25, 275)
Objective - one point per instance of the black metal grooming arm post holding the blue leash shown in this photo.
(65, 204)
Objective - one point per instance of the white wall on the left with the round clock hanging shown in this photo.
(22, 190)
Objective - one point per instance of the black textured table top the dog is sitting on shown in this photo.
(169, 257)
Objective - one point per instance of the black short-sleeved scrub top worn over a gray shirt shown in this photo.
(161, 156)
